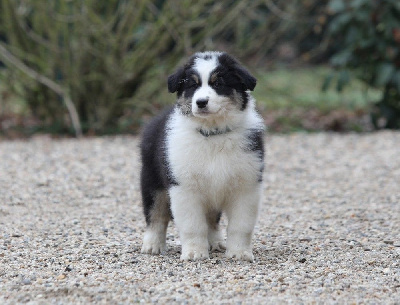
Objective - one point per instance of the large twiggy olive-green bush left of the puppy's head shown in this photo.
(99, 53)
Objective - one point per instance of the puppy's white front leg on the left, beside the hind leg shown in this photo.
(190, 219)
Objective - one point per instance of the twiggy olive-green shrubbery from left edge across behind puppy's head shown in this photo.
(107, 61)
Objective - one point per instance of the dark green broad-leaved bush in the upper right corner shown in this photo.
(366, 34)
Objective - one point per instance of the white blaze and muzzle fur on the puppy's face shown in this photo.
(204, 69)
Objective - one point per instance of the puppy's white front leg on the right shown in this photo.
(242, 216)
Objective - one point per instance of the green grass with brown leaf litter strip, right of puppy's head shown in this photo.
(292, 100)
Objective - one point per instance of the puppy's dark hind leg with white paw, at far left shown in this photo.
(157, 217)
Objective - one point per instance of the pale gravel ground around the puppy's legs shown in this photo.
(328, 232)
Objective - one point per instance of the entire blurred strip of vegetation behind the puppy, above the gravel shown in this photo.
(100, 67)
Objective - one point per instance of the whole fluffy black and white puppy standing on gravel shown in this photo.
(203, 157)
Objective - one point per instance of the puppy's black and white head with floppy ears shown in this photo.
(211, 84)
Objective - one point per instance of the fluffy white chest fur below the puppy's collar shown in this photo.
(217, 166)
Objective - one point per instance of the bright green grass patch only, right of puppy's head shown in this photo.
(300, 88)
